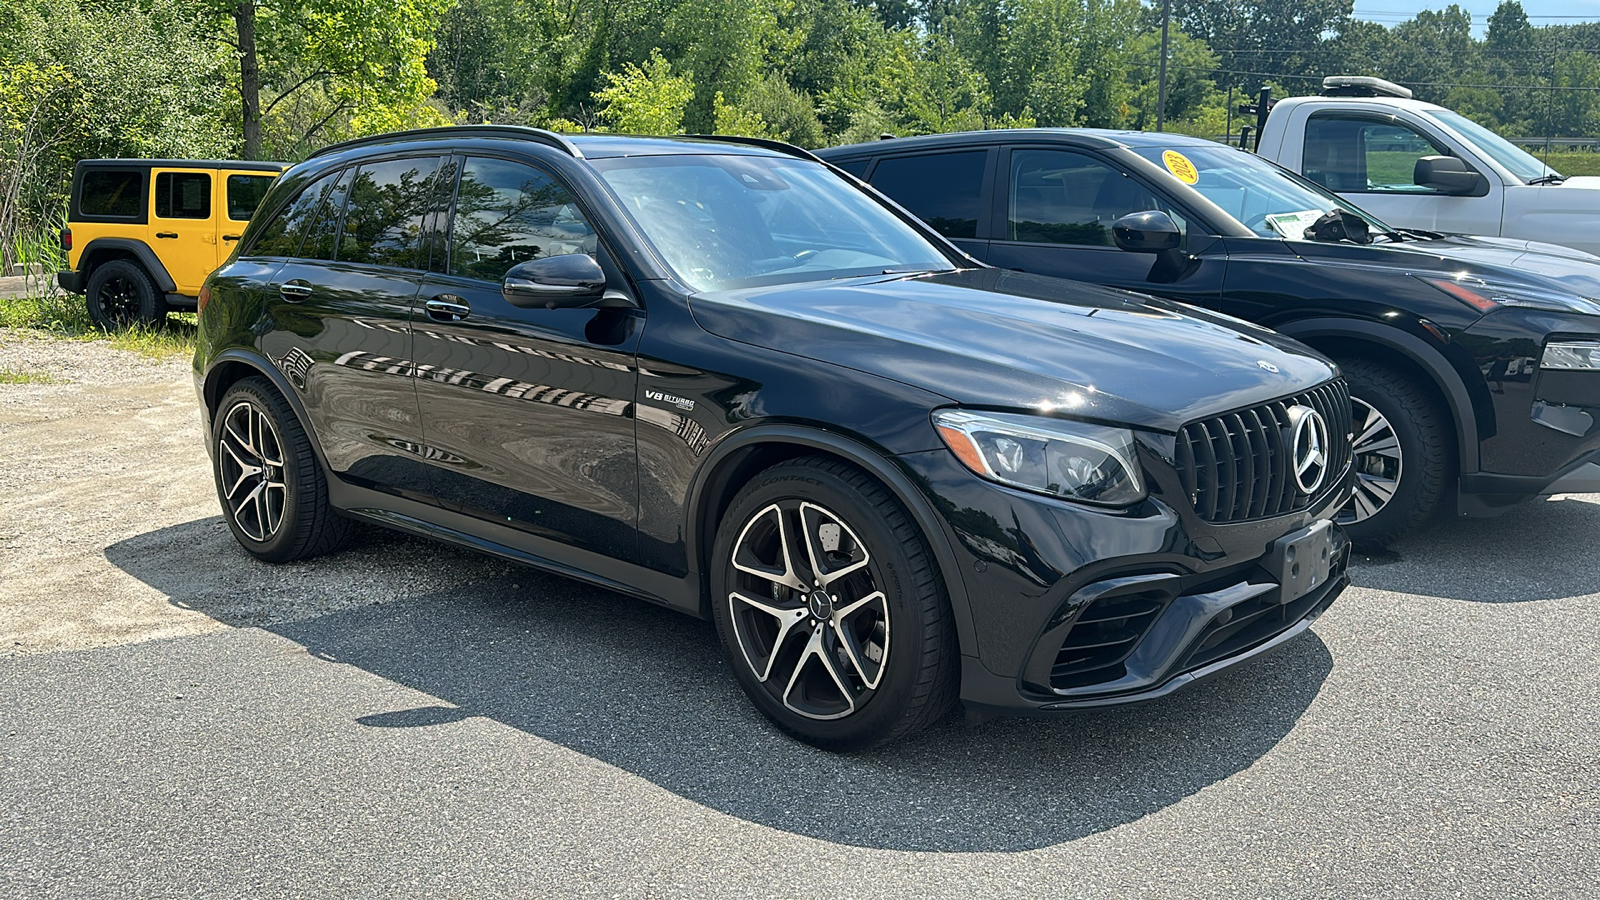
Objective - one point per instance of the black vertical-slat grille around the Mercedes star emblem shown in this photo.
(1238, 467)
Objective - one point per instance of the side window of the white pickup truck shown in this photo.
(1353, 155)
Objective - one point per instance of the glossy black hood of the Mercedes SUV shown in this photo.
(1009, 340)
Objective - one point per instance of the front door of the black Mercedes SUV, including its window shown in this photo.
(527, 414)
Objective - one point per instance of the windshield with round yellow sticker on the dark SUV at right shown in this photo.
(1262, 196)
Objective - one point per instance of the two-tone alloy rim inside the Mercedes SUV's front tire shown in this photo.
(809, 616)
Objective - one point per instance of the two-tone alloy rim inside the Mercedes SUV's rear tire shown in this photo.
(252, 472)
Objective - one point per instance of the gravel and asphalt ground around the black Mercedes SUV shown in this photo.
(407, 720)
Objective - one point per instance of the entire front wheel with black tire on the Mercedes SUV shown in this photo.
(836, 694)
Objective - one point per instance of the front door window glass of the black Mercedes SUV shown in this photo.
(510, 214)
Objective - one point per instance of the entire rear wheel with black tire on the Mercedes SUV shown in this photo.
(281, 513)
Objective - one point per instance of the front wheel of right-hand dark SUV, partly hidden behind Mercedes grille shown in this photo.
(1417, 478)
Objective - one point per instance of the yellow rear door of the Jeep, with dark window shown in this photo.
(183, 231)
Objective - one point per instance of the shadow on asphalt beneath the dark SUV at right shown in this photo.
(1537, 552)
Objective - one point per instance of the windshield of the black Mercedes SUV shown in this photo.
(730, 222)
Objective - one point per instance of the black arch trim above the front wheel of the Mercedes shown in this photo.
(858, 454)
